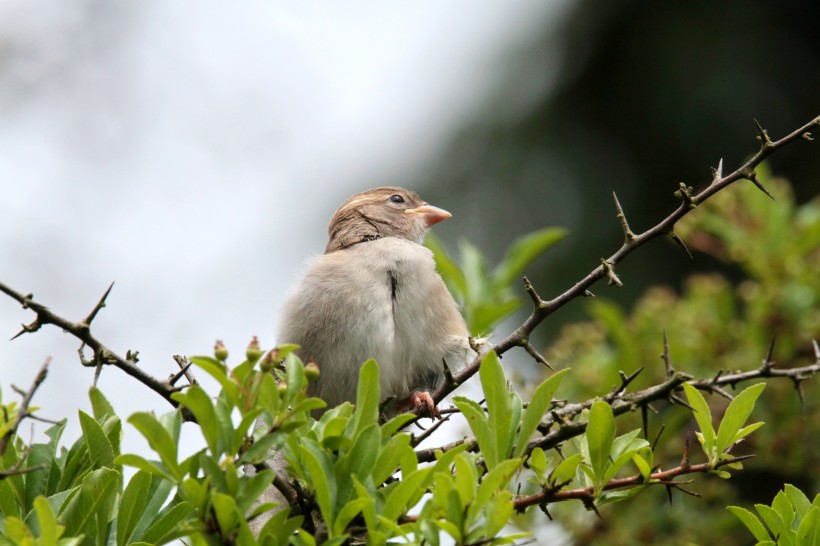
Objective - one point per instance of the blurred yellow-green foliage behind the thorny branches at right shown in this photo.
(769, 288)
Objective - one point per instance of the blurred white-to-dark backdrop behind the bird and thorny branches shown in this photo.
(194, 152)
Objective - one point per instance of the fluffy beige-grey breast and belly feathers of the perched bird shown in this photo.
(380, 299)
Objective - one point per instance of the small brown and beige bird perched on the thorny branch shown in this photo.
(375, 293)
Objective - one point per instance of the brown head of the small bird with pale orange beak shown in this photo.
(382, 212)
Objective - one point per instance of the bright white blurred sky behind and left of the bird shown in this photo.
(194, 151)
